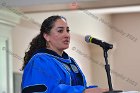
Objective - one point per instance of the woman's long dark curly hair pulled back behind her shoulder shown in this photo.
(39, 41)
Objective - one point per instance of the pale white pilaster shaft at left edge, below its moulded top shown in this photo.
(6, 65)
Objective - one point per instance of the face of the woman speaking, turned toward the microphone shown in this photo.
(59, 37)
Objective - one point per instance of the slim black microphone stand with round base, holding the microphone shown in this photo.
(106, 47)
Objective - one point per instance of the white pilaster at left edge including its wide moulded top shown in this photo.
(8, 20)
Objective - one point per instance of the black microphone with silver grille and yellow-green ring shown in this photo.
(103, 44)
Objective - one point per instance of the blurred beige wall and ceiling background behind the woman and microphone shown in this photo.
(113, 21)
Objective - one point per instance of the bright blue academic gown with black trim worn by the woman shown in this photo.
(46, 73)
